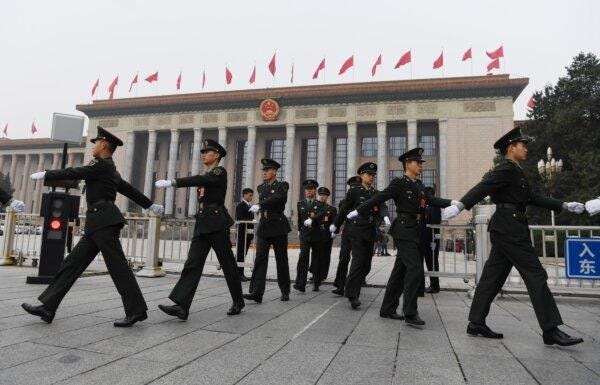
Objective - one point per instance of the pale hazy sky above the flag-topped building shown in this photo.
(53, 51)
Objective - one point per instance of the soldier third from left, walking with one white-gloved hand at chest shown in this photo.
(273, 229)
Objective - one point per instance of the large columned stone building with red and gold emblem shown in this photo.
(323, 132)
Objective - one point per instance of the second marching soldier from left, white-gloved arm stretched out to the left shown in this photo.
(210, 231)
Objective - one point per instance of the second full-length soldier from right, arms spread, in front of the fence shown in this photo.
(406, 277)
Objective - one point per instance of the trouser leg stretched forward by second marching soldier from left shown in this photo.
(185, 289)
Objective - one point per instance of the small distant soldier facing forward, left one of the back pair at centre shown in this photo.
(310, 214)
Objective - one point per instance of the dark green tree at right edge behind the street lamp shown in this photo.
(566, 117)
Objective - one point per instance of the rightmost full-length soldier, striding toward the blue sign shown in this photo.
(511, 245)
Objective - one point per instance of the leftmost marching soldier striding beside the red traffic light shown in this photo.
(102, 228)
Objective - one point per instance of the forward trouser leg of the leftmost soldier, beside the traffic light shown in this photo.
(70, 269)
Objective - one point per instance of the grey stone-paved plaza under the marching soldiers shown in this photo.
(315, 338)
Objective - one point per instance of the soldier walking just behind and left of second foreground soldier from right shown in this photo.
(362, 233)
